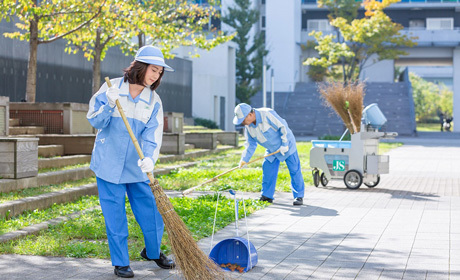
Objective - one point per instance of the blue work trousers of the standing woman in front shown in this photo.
(112, 199)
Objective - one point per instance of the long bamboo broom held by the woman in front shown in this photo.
(192, 262)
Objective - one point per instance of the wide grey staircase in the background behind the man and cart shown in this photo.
(305, 112)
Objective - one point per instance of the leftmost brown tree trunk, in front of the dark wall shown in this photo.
(31, 84)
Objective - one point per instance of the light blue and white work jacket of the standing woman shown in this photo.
(114, 157)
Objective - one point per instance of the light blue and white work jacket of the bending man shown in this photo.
(270, 131)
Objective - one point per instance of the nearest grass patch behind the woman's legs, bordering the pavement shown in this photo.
(85, 236)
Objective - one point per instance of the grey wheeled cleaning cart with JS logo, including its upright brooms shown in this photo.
(356, 161)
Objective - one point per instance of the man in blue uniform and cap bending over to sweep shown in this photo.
(265, 127)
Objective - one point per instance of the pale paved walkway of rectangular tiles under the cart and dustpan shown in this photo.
(408, 227)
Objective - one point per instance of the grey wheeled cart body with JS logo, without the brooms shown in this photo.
(356, 161)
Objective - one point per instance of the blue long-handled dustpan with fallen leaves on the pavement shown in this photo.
(235, 253)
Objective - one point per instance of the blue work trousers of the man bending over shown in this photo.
(270, 174)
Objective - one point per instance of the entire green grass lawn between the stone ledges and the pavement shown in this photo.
(85, 235)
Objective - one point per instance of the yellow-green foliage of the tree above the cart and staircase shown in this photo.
(356, 40)
